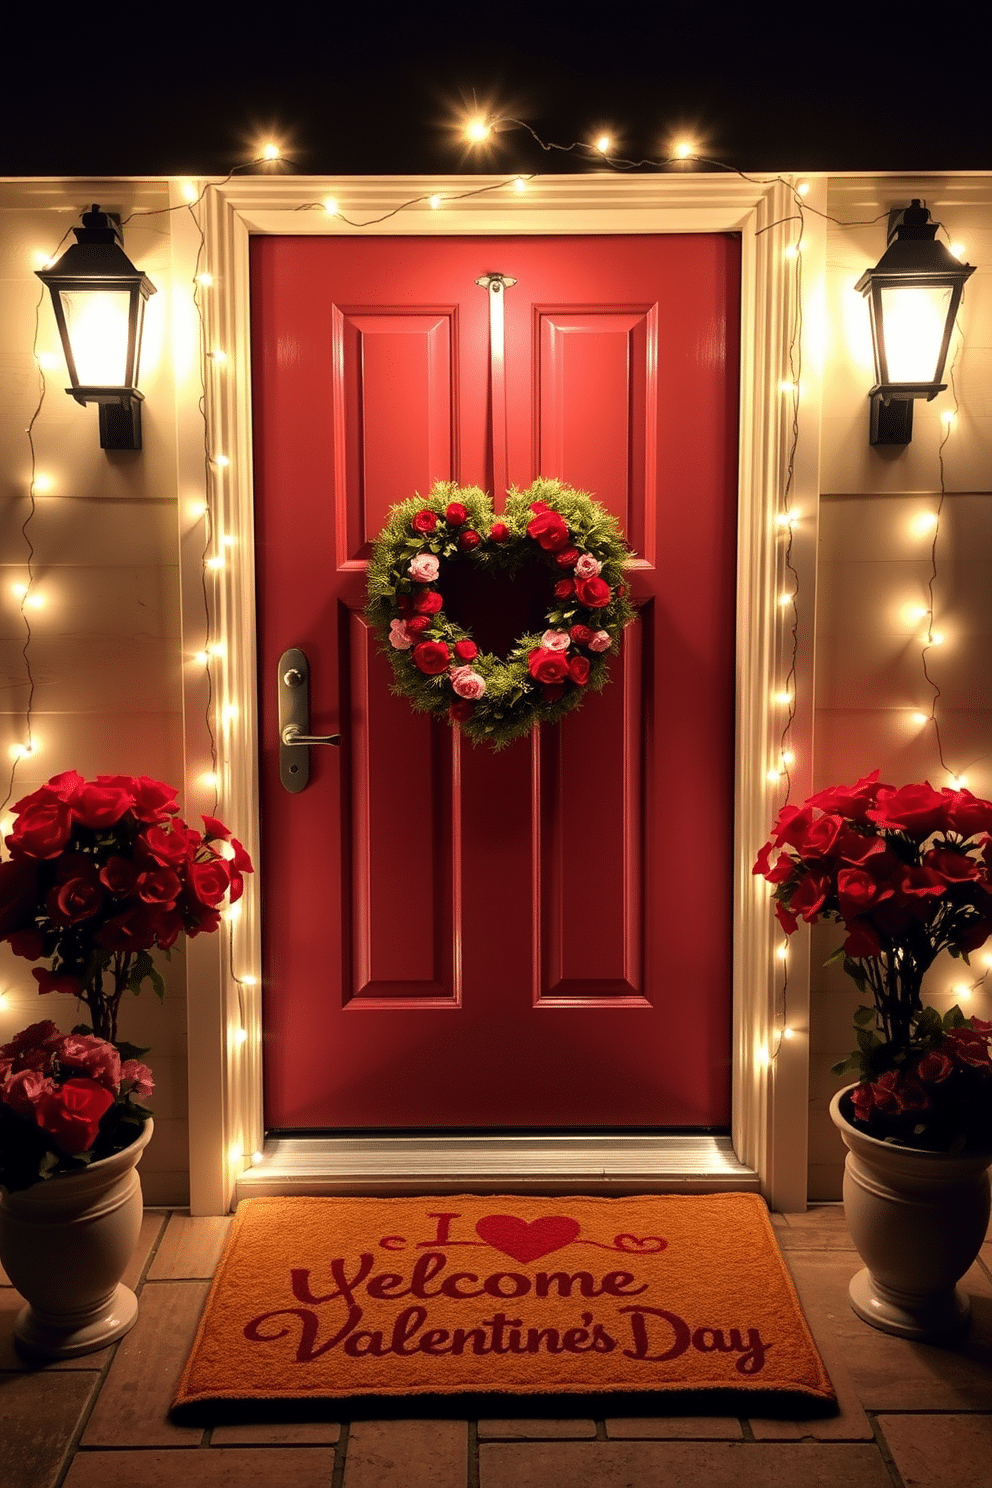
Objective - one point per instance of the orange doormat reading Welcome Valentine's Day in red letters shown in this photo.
(328, 1298)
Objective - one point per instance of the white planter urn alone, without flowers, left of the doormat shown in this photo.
(66, 1243)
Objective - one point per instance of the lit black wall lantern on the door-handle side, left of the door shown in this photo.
(99, 300)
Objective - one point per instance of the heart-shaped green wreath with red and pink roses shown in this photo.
(438, 666)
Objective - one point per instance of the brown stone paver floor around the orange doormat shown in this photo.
(911, 1416)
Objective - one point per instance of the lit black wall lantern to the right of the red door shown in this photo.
(914, 294)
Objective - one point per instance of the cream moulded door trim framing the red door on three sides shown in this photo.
(771, 1077)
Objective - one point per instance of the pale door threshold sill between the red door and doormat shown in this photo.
(496, 1164)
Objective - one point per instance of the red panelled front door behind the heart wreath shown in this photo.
(539, 938)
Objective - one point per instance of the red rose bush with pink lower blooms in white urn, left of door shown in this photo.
(100, 874)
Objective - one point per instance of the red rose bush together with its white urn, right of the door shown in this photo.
(908, 873)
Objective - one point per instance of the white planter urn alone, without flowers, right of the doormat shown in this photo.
(918, 1221)
